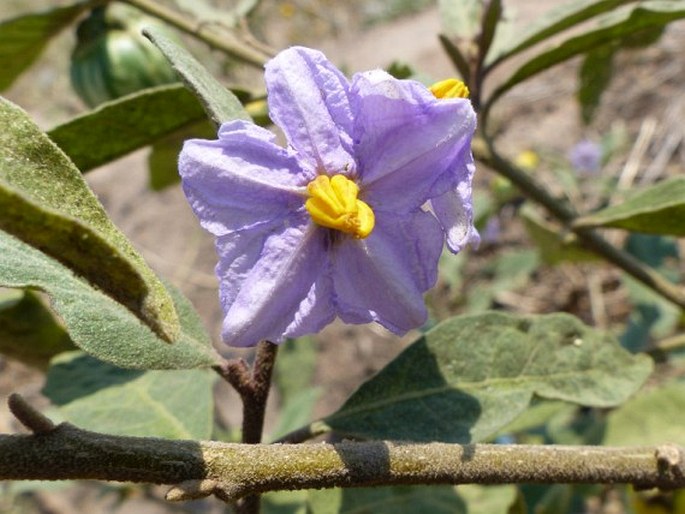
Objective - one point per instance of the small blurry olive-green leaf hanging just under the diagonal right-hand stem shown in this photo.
(554, 245)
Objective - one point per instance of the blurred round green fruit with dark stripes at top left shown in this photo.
(112, 58)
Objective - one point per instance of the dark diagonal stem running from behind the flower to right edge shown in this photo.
(561, 210)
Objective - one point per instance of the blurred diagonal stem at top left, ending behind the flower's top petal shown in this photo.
(223, 41)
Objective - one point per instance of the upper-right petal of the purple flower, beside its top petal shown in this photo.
(405, 139)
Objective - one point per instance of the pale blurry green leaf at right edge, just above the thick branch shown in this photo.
(654, 417)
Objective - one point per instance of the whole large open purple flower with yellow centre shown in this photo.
(350, 219)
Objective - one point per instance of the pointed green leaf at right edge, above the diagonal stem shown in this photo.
(657, 209)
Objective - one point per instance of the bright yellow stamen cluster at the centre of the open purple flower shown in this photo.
(333, 203)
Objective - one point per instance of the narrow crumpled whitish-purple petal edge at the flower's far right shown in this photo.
(454, 208)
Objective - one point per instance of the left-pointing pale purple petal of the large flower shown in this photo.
(241, 179)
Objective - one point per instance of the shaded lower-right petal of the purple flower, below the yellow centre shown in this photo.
(382, 278)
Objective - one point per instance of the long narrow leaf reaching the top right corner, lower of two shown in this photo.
(610, 28)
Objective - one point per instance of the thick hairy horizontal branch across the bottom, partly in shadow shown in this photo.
(233, 471)
